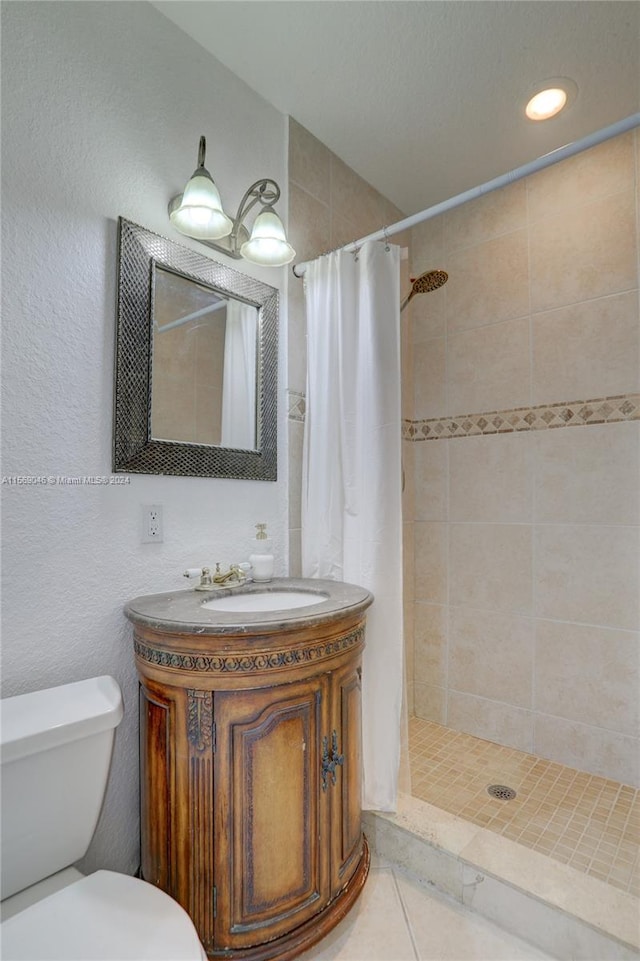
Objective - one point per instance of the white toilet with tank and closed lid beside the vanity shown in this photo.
(55, 752)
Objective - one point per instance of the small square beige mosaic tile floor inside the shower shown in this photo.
(588, 822)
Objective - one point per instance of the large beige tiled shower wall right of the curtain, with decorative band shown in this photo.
(521, 528)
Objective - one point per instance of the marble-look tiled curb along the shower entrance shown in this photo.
(561, 911)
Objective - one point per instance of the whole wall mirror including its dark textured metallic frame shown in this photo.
(195, 387)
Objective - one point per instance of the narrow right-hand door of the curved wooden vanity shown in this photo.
(346, 794)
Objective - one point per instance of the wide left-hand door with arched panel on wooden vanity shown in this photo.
(271, 874)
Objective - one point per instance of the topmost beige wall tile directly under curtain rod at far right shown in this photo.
(605, 169)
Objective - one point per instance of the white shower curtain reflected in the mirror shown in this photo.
(239, 376)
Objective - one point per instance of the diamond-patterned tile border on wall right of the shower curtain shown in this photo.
(604, 410)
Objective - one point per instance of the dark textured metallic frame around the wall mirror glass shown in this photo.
(134, 449)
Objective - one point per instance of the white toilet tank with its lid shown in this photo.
(55, 752)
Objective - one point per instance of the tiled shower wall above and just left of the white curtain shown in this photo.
(329, 206)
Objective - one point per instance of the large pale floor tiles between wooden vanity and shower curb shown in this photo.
(398, 919)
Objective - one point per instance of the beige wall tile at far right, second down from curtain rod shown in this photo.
(587, 252)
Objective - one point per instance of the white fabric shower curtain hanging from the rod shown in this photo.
(351, 500)
